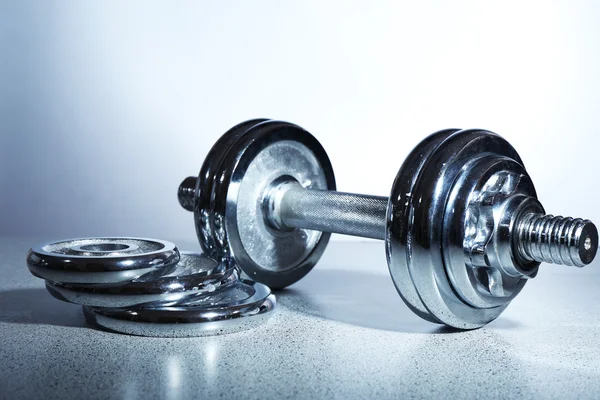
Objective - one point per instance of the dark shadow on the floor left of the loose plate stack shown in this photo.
(36, 306)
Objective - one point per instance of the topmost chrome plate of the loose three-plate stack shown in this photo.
(101, 260)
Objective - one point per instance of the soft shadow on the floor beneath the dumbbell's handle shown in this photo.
(361, 299)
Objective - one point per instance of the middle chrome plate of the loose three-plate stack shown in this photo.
(195, 276)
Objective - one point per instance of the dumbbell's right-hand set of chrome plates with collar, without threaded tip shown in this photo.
(467, 197)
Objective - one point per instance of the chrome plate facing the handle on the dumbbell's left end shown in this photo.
(266, 153)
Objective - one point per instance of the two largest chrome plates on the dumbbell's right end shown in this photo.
(416, 215)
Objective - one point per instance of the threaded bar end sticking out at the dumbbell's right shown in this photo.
(557, 240)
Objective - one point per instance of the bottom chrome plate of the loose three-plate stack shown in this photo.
(243, 306)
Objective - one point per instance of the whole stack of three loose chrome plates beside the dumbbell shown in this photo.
(147, 287)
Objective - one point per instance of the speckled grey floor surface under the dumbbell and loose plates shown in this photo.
(342, 332)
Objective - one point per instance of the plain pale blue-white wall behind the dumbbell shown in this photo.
(106, 106)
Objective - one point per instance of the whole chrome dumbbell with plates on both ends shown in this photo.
(463, 228)
